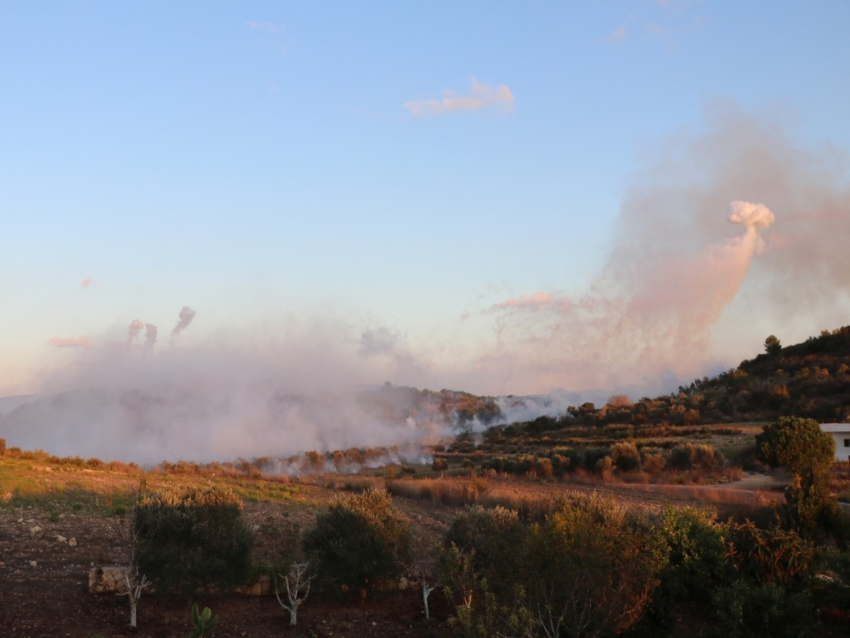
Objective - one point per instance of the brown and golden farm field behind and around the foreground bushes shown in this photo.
(56, 523)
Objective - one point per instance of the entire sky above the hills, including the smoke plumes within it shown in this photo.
(496, 197)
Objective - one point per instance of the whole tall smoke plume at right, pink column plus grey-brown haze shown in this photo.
(649, 317)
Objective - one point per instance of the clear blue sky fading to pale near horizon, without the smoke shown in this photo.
(268, 162)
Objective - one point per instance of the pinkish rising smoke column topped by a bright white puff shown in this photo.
(655, 320)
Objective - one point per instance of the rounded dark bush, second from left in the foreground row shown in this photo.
(359, 544)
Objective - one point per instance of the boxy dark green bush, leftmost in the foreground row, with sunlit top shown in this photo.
(196, 539)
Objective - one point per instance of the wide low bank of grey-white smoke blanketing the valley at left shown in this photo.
(237, 395)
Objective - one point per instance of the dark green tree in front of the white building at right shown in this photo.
(801, 447)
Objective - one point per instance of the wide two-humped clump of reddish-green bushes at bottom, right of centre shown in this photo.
(588, 570)
